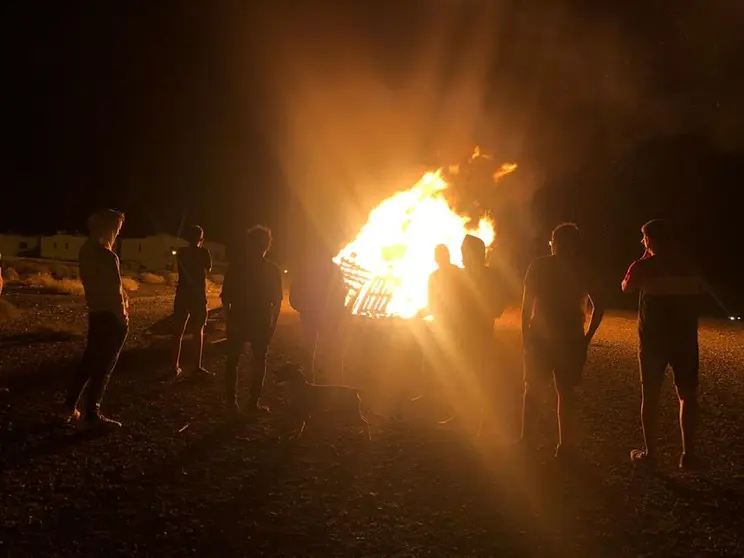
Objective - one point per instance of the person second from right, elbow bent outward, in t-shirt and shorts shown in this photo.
(556, 289)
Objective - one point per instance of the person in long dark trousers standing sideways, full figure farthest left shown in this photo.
(108, 320)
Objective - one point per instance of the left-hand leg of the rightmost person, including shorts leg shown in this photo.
(653, 366)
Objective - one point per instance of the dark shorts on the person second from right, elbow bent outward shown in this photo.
(561, 361)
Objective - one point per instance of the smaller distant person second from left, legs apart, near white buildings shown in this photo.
(190, 305)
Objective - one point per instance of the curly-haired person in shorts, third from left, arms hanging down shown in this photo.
(252, 298)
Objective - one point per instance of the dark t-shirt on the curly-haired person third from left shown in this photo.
(253, 290)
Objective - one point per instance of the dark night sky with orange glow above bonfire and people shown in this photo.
(314, 111)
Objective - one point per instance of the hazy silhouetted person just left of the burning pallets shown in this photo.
(318, 294)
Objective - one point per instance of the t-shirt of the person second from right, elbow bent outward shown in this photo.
(561, 288)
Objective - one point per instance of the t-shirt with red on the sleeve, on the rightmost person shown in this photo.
(668, 303)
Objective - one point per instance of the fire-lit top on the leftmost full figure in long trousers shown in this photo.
(101, 278)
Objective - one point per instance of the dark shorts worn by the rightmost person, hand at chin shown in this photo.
(684, 360)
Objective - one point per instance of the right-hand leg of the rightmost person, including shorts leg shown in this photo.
(686, 370)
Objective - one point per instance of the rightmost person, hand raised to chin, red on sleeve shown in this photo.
(669, 293)
